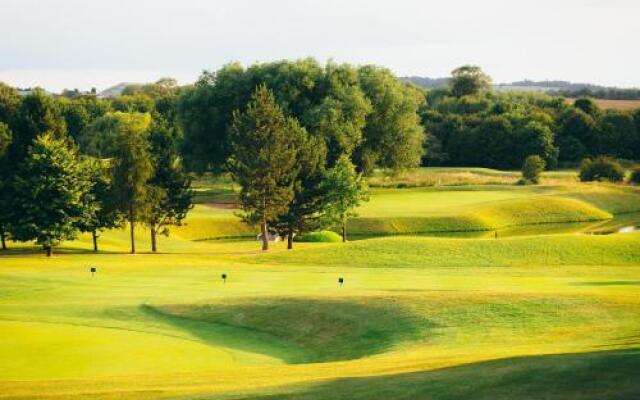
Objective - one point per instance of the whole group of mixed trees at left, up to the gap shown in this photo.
(86, 165)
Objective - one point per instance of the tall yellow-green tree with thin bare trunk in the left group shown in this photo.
(132, 167)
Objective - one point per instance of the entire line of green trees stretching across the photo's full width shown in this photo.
(297, 136)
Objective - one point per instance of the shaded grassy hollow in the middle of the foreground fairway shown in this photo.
(315, 330)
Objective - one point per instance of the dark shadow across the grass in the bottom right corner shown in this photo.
(584, 376)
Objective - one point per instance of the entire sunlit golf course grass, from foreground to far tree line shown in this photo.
(455, 283)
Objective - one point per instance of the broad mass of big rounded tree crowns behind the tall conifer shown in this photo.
(329, 102)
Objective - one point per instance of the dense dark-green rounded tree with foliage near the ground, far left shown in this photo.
(49, 187)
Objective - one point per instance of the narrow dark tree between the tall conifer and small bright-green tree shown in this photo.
(305, 212)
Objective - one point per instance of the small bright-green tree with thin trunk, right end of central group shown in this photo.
(346, 190)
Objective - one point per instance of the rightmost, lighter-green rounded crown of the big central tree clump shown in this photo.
(393, 135)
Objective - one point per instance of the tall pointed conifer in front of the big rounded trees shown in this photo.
(264, 159)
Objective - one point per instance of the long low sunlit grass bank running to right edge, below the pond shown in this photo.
(446, 252)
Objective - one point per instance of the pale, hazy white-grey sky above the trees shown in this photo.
(58, 44)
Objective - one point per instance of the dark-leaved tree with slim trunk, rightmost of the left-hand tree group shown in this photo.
(171, 196)
